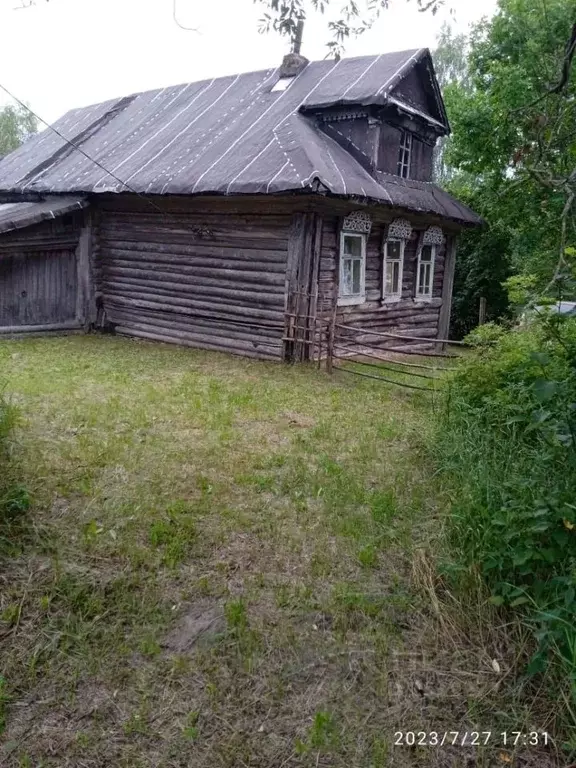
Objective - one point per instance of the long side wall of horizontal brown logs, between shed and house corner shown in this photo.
(209, 275)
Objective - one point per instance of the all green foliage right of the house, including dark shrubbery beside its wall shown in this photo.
(512, 150)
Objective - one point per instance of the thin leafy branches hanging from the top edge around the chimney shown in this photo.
(356, 16)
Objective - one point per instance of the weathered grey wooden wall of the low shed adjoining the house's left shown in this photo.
(39, 277)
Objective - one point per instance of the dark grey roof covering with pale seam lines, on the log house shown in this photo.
(231, 135)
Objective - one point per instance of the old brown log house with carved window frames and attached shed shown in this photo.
(232, 214)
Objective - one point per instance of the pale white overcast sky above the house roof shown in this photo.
(67, 53)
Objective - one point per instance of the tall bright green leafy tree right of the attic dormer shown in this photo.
(514, 129)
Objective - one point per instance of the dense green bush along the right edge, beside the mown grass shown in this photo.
(507, 439)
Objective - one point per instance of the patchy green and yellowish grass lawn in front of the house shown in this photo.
(225, 564)
